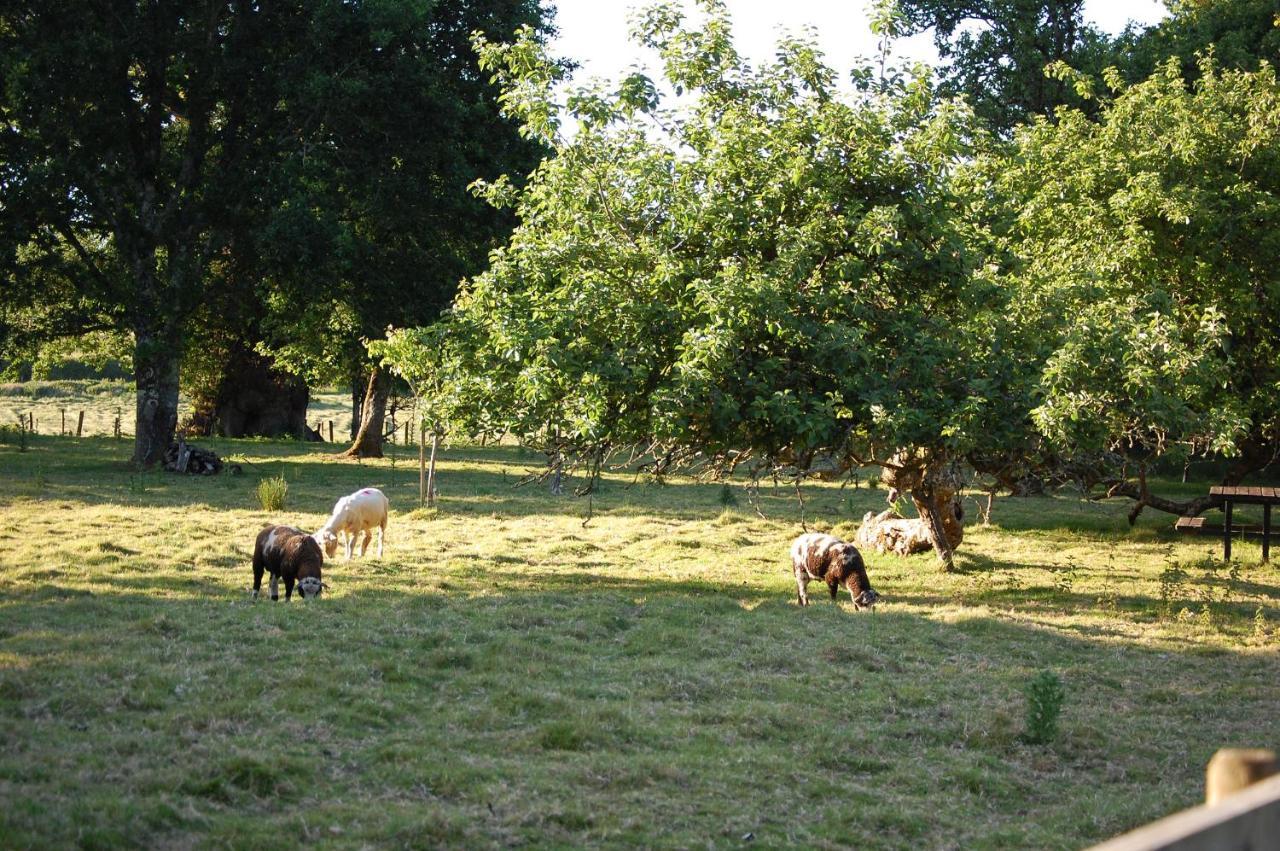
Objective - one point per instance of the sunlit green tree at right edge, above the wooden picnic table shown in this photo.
(1156, 231)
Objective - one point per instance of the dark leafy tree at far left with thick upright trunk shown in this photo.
(127, 139)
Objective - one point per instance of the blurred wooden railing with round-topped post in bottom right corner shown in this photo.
(1242, 812)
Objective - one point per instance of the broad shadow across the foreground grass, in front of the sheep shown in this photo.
(547, 684)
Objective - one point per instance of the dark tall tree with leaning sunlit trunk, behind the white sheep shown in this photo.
(378, 227)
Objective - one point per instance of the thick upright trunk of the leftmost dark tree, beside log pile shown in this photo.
(156, 367)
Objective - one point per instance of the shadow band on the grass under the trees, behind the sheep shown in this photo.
(477, 481)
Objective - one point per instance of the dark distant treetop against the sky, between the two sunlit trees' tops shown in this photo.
(998, 51)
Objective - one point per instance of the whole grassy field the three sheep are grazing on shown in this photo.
(511, 676)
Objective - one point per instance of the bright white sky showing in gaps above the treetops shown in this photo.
(595, 33)
